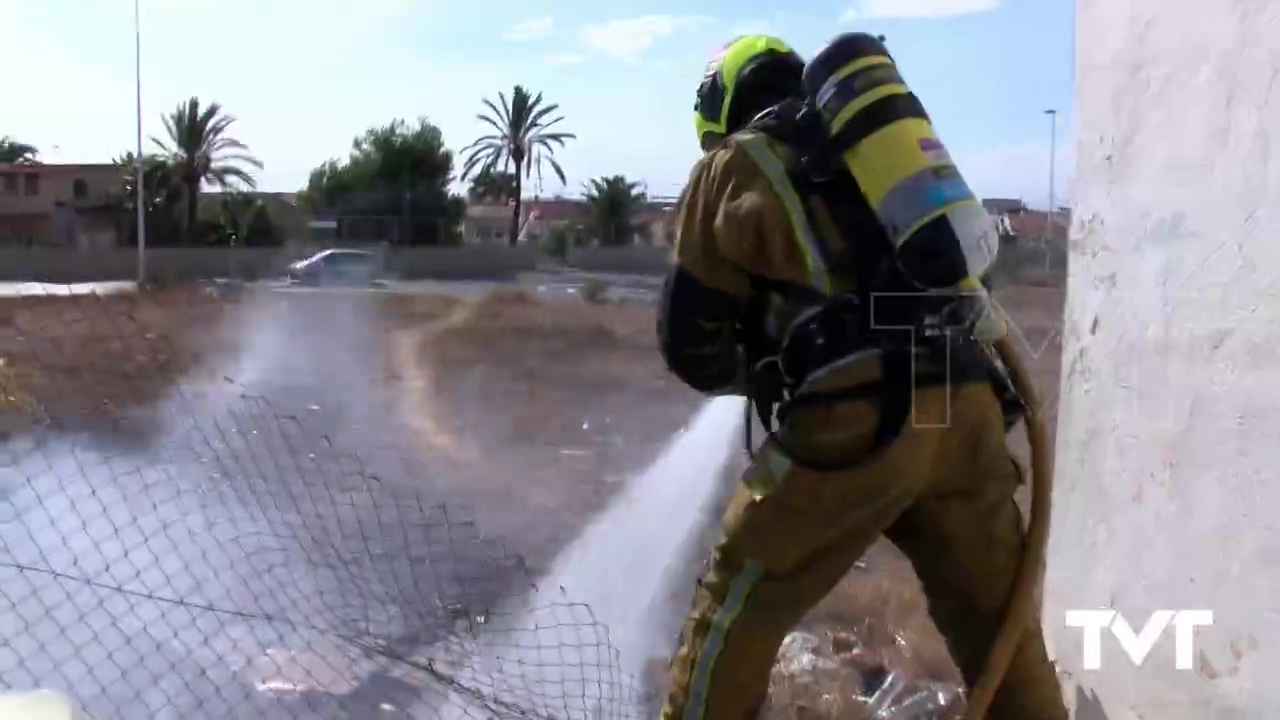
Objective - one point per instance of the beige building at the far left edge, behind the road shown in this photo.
(60, 206)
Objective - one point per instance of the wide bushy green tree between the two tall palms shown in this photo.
(397, 171)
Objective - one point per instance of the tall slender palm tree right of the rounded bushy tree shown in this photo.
(522, 143)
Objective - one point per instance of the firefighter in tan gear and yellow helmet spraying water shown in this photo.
(867, 347)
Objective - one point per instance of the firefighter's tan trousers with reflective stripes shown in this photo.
(943, 493)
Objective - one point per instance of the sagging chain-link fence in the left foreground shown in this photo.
(223, 557)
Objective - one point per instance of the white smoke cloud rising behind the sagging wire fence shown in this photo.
(214, 573)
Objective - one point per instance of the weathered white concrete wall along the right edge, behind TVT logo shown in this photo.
(1169, 439)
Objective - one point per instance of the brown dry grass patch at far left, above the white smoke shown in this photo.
(84, 357)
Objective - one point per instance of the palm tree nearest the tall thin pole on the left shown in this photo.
(200, 151)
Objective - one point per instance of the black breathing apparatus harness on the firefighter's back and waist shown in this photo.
(922, 340)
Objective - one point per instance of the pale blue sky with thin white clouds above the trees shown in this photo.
(304, 78)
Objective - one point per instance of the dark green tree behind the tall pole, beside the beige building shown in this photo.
(163, 197)
